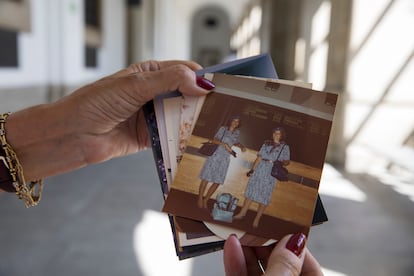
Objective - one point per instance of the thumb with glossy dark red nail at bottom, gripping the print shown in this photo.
(287, 258)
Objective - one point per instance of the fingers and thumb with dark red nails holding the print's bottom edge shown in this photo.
(288, 257)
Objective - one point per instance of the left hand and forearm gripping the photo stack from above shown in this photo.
(99, 121)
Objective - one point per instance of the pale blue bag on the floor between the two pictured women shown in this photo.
(224, 207)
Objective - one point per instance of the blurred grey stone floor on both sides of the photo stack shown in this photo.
(105, 220)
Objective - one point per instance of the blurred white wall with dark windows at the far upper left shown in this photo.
(53, 52)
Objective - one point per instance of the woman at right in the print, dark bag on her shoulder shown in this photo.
(261, 183)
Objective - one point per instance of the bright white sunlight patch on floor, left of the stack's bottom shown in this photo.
(154, 247)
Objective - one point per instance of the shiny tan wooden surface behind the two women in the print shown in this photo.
(291, 201)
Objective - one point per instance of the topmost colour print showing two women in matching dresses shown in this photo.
(267, 145)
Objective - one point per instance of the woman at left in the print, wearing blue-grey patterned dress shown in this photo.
(216, 166)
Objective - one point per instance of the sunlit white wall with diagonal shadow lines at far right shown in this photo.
(380, 107)
